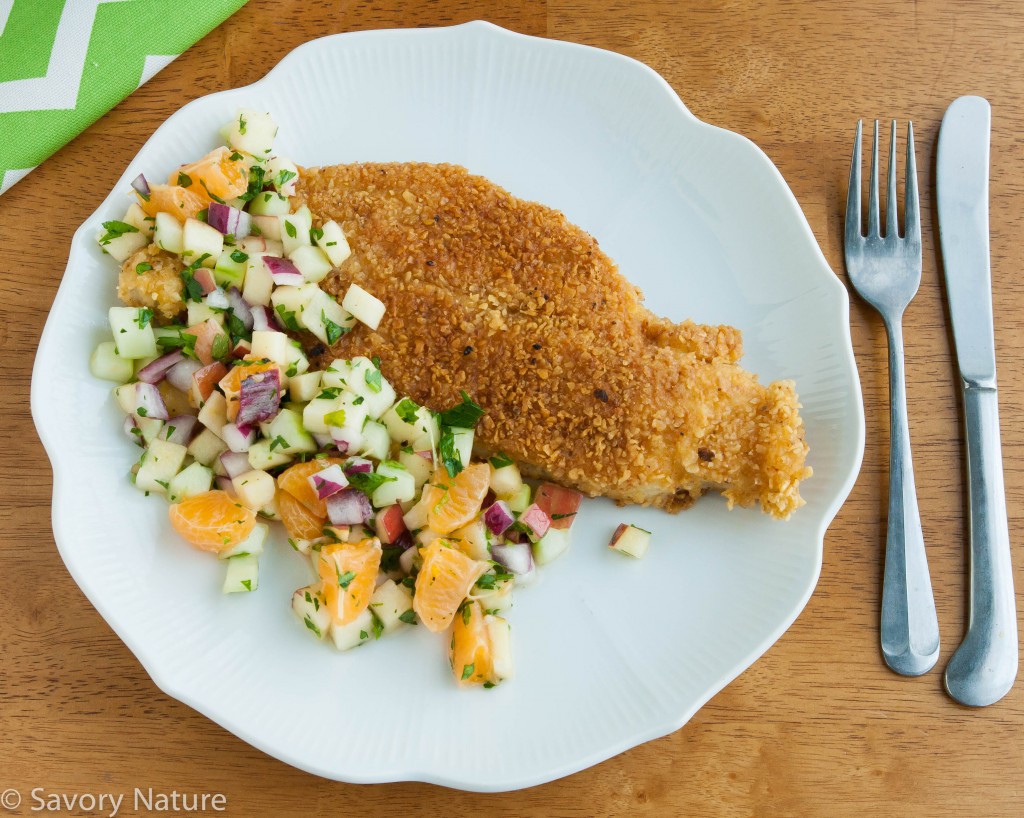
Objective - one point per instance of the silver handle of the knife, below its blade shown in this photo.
(985, 667)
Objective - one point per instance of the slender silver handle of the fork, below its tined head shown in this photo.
(910, 626)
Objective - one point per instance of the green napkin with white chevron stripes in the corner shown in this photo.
(64, 64)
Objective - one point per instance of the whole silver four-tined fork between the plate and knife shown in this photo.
(886, 272)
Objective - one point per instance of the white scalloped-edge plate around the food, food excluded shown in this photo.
(610, 653)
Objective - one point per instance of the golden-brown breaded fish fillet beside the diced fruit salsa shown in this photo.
(583, 385)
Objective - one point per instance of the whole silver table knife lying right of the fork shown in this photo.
(984, 669)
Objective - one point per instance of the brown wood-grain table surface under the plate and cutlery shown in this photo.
(818, 726)
